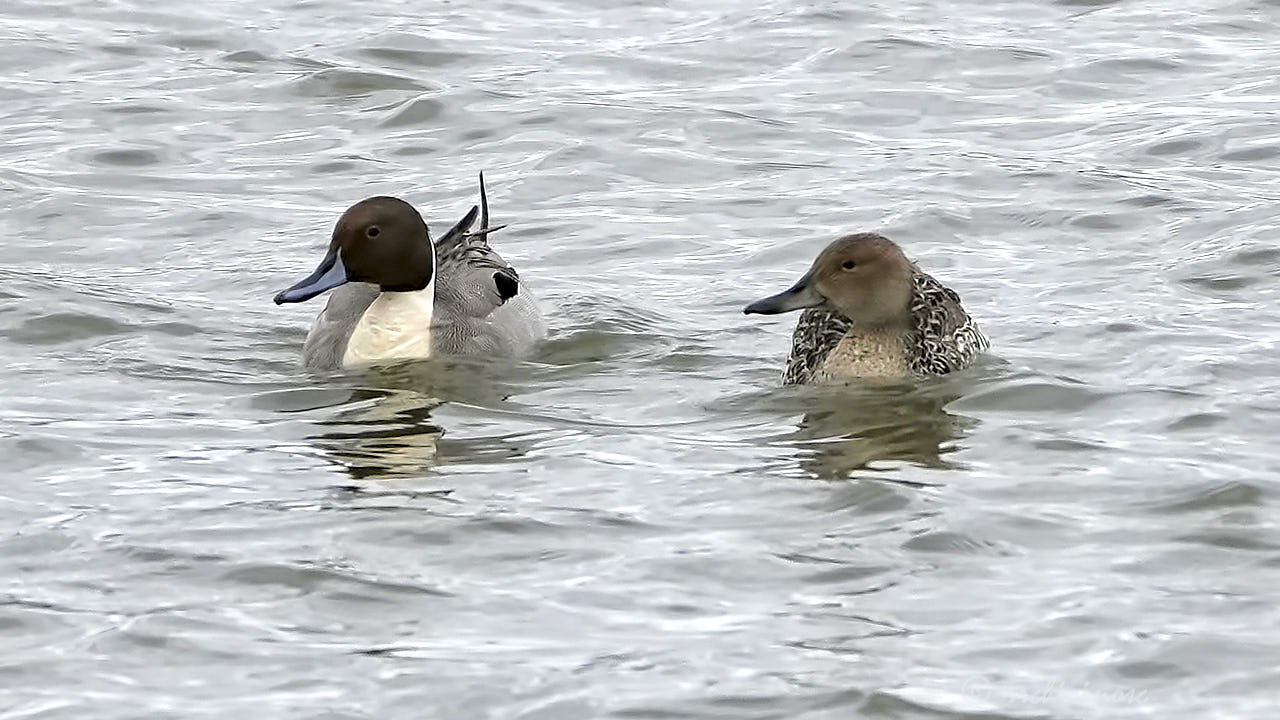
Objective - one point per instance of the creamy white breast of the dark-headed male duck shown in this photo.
(397, 326)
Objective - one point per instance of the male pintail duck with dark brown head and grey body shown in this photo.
(404, 297)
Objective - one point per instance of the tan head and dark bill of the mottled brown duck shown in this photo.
(865, 277)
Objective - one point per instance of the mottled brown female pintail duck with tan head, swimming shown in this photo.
(871, 313)
